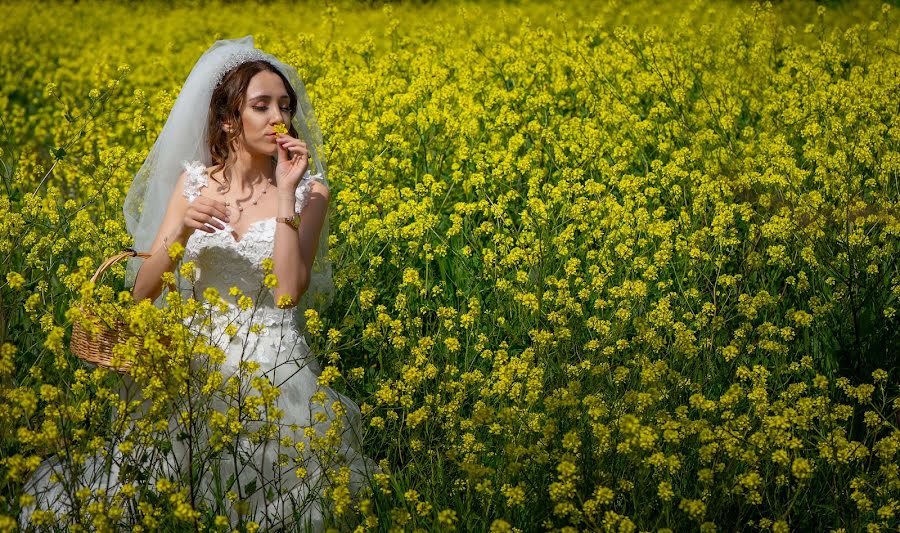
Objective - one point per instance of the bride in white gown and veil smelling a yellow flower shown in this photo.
(230, 181)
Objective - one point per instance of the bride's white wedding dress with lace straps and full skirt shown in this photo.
(265, 475)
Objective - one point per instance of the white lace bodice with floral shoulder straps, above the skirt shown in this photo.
(222, 261)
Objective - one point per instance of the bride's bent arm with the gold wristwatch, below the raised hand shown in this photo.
(295, 250)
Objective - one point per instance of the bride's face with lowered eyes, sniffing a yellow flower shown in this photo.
(266, 103)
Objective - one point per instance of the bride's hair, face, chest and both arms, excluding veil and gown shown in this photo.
(246, 107)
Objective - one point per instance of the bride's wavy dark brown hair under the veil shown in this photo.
(225, 106)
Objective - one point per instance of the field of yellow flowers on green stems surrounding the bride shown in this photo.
(627, 267)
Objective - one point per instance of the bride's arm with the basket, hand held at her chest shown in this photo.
(180, 221)
